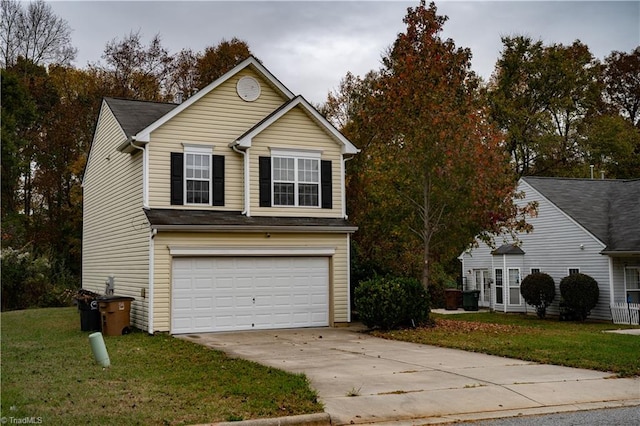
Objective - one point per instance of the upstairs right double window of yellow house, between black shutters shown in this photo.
(296, 181)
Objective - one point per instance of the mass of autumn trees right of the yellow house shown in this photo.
(442, 150)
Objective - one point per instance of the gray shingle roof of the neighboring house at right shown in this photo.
(608, 209)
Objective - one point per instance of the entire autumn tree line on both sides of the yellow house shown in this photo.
(441, 149)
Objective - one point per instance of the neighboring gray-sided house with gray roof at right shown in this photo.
(582, 225)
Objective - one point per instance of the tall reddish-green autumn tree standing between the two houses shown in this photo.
(432, 172)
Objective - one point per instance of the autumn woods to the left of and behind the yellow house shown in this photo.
(49, 112)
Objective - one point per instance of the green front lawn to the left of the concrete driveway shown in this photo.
(48, 371)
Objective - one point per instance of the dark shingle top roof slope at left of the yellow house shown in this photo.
(133, 116)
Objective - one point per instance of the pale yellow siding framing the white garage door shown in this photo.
(338, 271)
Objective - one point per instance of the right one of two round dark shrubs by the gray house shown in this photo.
(580, 294)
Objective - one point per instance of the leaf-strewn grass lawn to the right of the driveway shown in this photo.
(549, 341)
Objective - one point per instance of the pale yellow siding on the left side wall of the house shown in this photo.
(115, 230)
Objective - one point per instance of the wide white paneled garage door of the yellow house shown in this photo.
(248, 293)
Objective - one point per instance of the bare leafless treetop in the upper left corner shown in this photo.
(34, 33)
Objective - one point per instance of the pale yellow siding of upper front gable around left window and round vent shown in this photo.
(216, 120)
